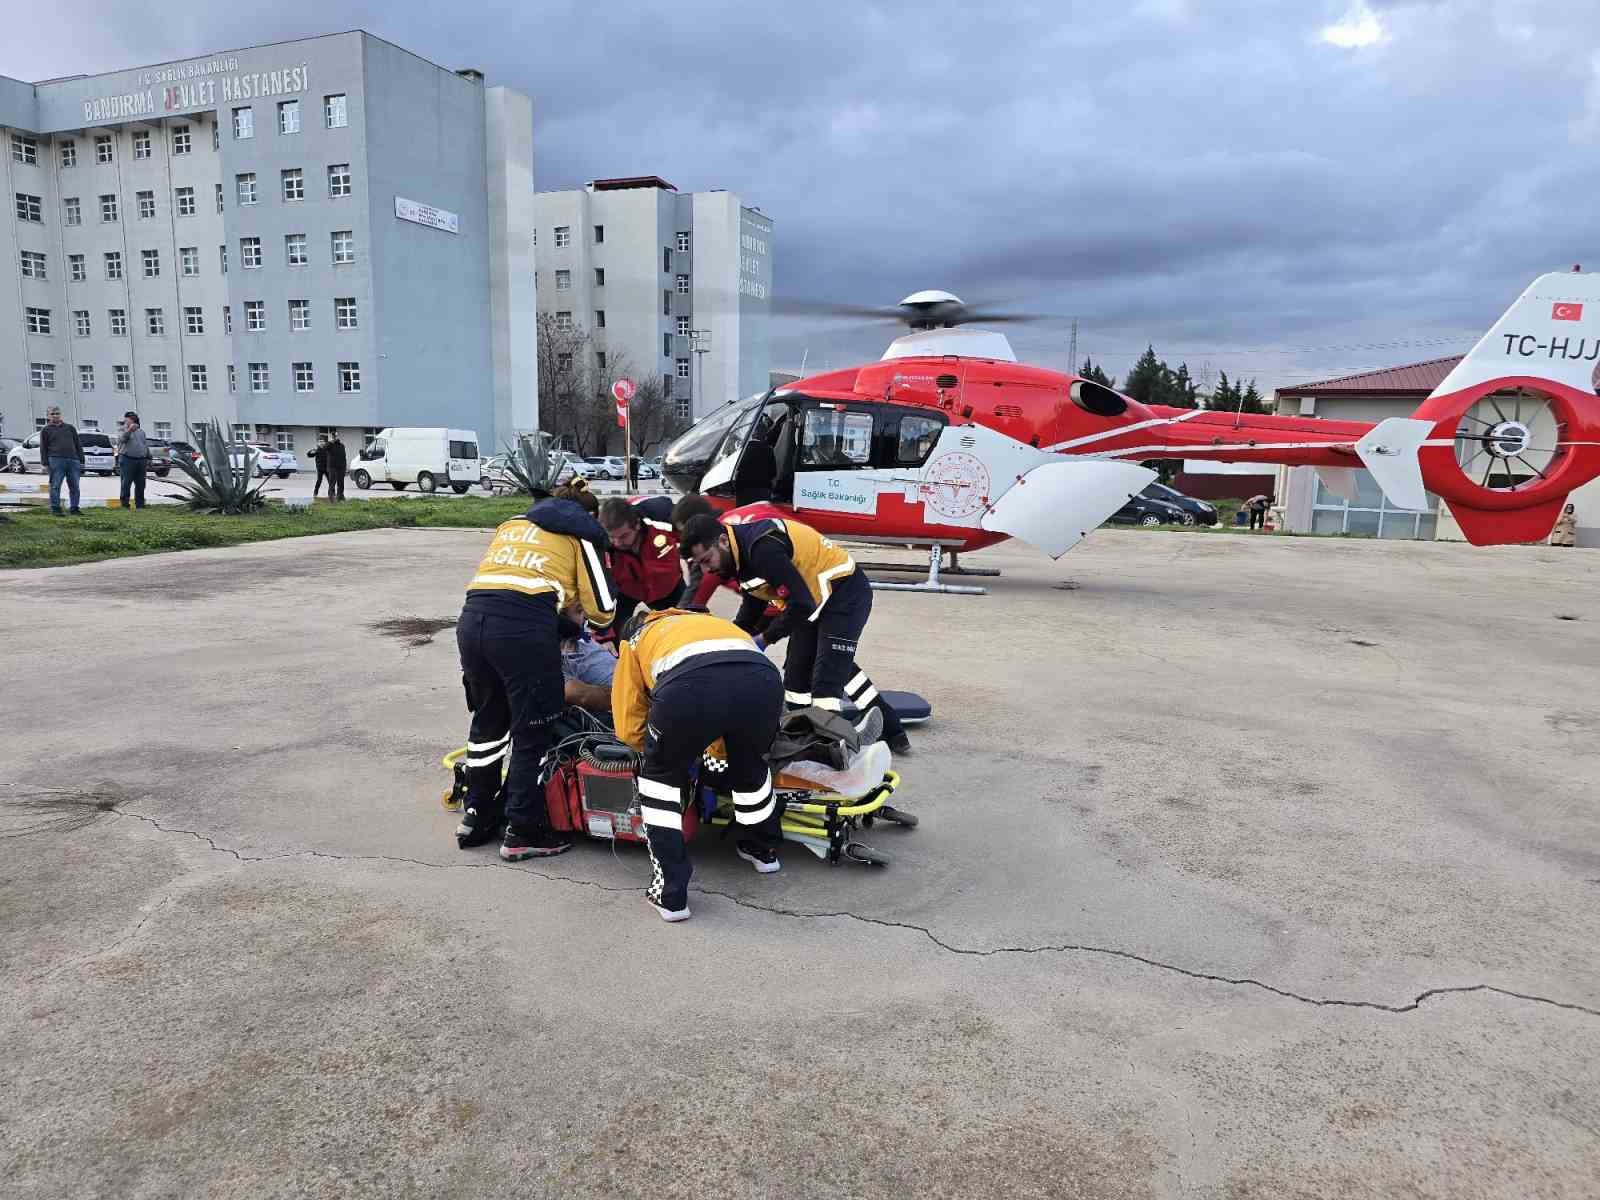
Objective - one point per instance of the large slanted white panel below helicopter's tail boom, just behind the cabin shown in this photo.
(1055, 505)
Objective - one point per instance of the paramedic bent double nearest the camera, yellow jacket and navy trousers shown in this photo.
(682, 682)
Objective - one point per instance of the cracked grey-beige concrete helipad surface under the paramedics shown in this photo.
(1207, 900)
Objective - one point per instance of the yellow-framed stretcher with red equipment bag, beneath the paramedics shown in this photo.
(593, 790)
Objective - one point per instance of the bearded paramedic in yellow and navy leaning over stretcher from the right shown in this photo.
(826, 602)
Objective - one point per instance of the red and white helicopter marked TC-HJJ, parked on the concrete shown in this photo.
(950, 442)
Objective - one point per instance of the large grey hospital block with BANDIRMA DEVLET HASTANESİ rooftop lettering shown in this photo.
(318, 234)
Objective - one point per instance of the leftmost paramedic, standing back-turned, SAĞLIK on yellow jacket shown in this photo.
(511, 666)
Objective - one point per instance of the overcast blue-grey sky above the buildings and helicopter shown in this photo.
(1281, 190)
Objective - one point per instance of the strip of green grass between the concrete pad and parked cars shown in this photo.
(34, 538)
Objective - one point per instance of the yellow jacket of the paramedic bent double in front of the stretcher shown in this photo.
(666, 646)
